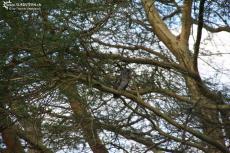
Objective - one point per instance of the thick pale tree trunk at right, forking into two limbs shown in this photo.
(179, 47)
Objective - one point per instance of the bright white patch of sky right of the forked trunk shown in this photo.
(216, 66)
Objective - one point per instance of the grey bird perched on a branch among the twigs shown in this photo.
(123, 81)
